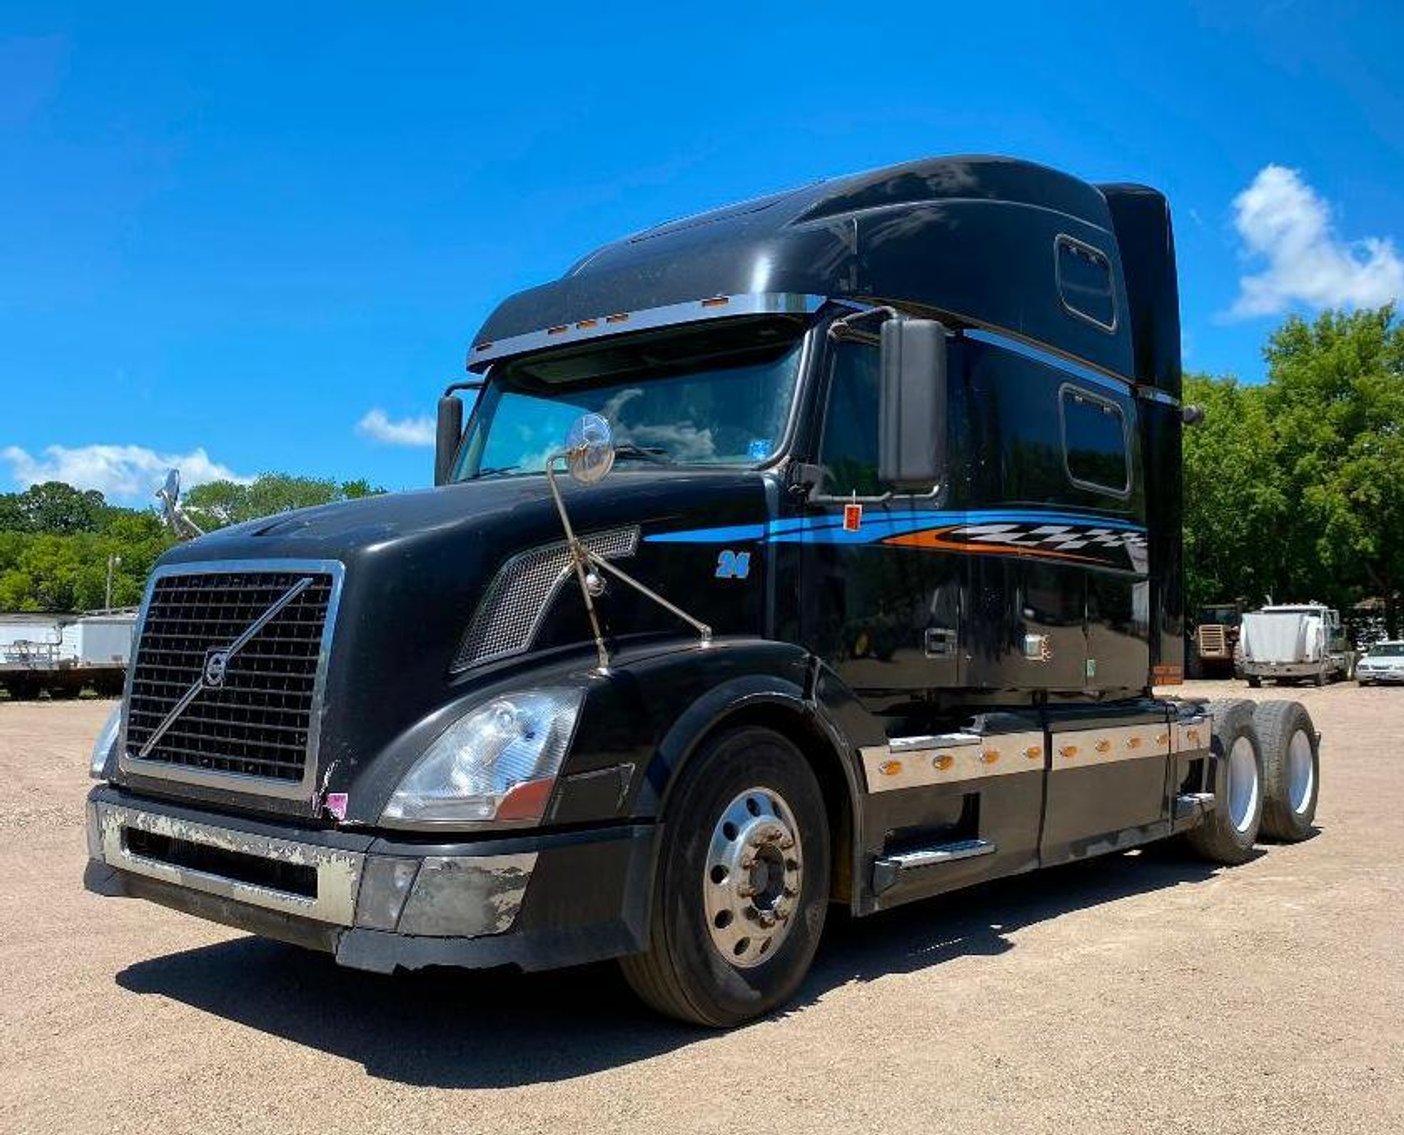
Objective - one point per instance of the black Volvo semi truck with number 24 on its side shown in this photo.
(822, 550)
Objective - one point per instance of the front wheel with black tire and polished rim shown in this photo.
(742, 886)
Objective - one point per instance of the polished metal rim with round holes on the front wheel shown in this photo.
(753, 879)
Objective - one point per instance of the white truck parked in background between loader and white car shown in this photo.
(1295, 643)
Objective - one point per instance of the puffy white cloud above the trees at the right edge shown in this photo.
(1287, 224)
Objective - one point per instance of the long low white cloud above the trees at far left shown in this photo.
(120, 473)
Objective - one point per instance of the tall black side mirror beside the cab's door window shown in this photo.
(912, 404)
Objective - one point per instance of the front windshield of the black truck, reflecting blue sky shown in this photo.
(718, 395)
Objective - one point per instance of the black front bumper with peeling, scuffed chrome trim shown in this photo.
(536, 901)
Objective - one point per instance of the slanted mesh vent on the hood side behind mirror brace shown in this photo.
(522, 593)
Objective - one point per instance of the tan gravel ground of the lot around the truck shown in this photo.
(1144, 992)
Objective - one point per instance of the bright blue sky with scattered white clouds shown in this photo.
(232, 238)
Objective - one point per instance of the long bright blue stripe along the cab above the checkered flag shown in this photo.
(880, 526)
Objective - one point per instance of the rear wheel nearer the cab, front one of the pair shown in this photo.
(1229, 832)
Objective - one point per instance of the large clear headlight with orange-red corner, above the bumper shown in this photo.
(499, 763)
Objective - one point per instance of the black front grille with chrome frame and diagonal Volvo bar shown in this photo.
(259, 719)
